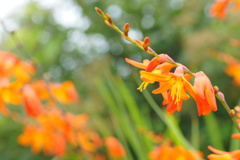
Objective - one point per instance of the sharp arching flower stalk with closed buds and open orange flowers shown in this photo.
(177, 83)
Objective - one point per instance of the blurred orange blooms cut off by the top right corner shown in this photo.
(219, 8)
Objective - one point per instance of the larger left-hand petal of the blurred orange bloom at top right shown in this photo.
(218, 9)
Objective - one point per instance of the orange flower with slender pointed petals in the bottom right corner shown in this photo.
(223, 155)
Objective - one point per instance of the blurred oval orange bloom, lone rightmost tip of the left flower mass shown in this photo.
(114, 147)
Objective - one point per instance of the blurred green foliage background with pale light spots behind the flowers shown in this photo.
(69, 41)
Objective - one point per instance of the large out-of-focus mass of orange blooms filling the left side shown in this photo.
(46, 127)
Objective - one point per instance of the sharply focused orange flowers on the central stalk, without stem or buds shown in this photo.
(173, 85)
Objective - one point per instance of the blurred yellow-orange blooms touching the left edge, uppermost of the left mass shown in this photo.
(19, 72)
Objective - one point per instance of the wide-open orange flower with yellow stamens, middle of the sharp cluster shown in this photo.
(175, 85)
